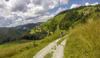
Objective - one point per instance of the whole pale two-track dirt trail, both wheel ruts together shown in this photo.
(58, 53)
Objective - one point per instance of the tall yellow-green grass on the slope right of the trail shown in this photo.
(84, 41)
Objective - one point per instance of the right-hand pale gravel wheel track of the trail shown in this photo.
(59, 51)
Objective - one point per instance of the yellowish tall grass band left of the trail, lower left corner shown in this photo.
(10, 51)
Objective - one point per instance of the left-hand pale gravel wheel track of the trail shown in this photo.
(45, 50)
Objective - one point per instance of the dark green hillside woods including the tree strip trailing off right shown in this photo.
(72, 19)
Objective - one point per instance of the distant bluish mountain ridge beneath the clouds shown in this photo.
(26, 27)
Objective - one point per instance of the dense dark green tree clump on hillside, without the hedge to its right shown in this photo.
(69, 19)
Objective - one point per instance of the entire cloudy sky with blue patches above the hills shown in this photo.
(19, 12)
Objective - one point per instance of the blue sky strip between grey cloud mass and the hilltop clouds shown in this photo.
(79, 2)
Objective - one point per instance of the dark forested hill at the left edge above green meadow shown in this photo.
(8, 34)
